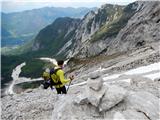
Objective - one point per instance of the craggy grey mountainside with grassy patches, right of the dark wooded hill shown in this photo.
(136, 25)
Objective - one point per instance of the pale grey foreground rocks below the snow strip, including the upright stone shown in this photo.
(94, 100)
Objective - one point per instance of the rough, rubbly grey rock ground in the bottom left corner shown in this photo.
(28, 106)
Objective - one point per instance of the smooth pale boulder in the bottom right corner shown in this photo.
(145, 103)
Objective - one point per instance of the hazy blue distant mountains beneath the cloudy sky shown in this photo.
(22, 24)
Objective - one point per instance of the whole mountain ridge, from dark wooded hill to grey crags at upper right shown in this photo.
(109, 30)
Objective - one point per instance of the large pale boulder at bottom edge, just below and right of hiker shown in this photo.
(66, 108)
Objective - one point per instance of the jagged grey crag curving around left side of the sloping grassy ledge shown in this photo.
(90, 24)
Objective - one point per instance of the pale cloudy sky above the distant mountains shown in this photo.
(20, 5)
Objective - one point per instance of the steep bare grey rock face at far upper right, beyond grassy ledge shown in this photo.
(141, 30)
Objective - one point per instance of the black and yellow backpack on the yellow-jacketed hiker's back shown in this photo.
(53, 79)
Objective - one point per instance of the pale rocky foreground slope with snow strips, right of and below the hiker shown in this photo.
(112, 89)
